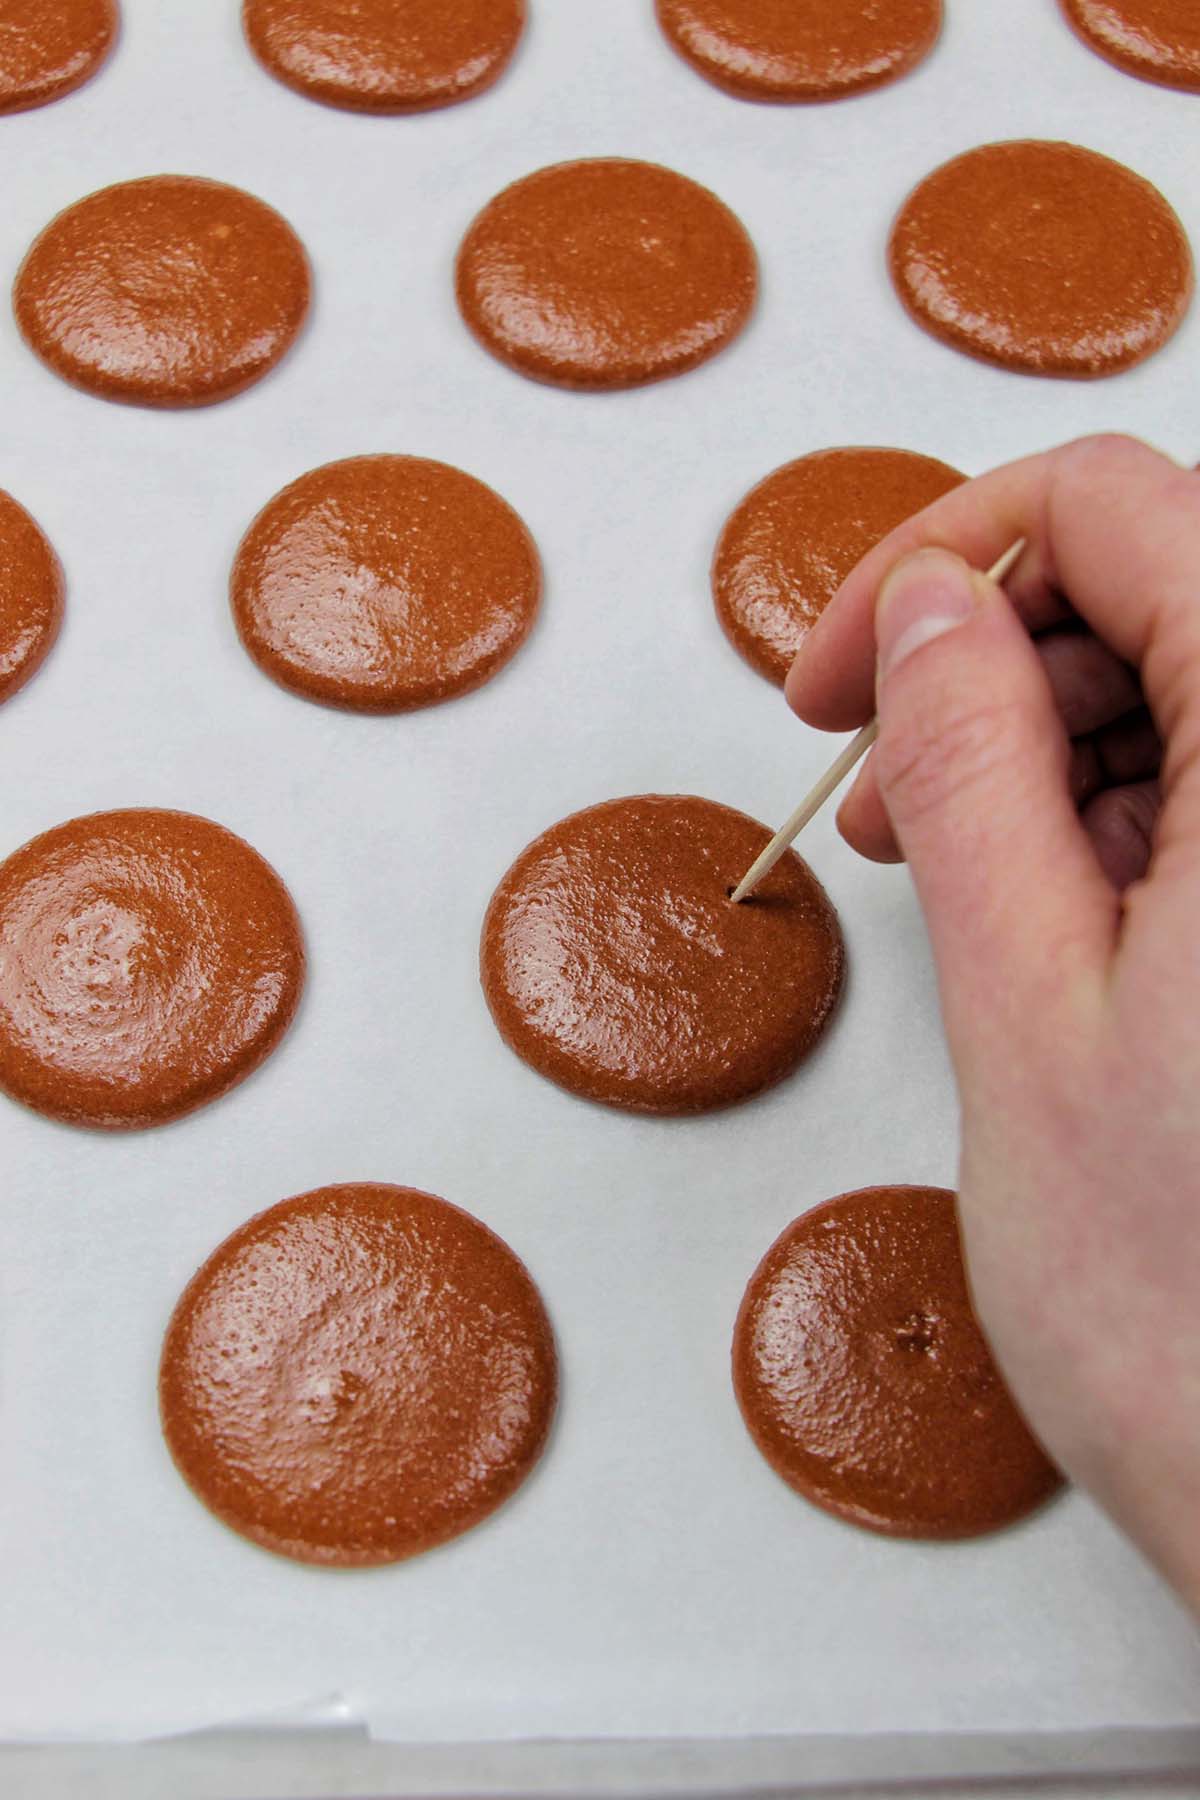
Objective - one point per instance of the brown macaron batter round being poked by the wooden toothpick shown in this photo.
(616, 964)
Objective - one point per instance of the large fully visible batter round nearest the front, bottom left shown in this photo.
(359, 1374)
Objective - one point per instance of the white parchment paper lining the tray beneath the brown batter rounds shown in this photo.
(654, 1578)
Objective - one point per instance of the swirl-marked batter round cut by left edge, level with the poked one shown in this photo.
(148, 962)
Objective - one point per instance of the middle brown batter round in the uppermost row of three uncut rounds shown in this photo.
(605, 274)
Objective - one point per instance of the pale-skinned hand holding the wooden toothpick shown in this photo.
(1039, 769)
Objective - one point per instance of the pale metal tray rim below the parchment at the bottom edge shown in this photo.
(330, 1763)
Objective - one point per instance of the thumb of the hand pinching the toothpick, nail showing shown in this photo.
(972, 766)
